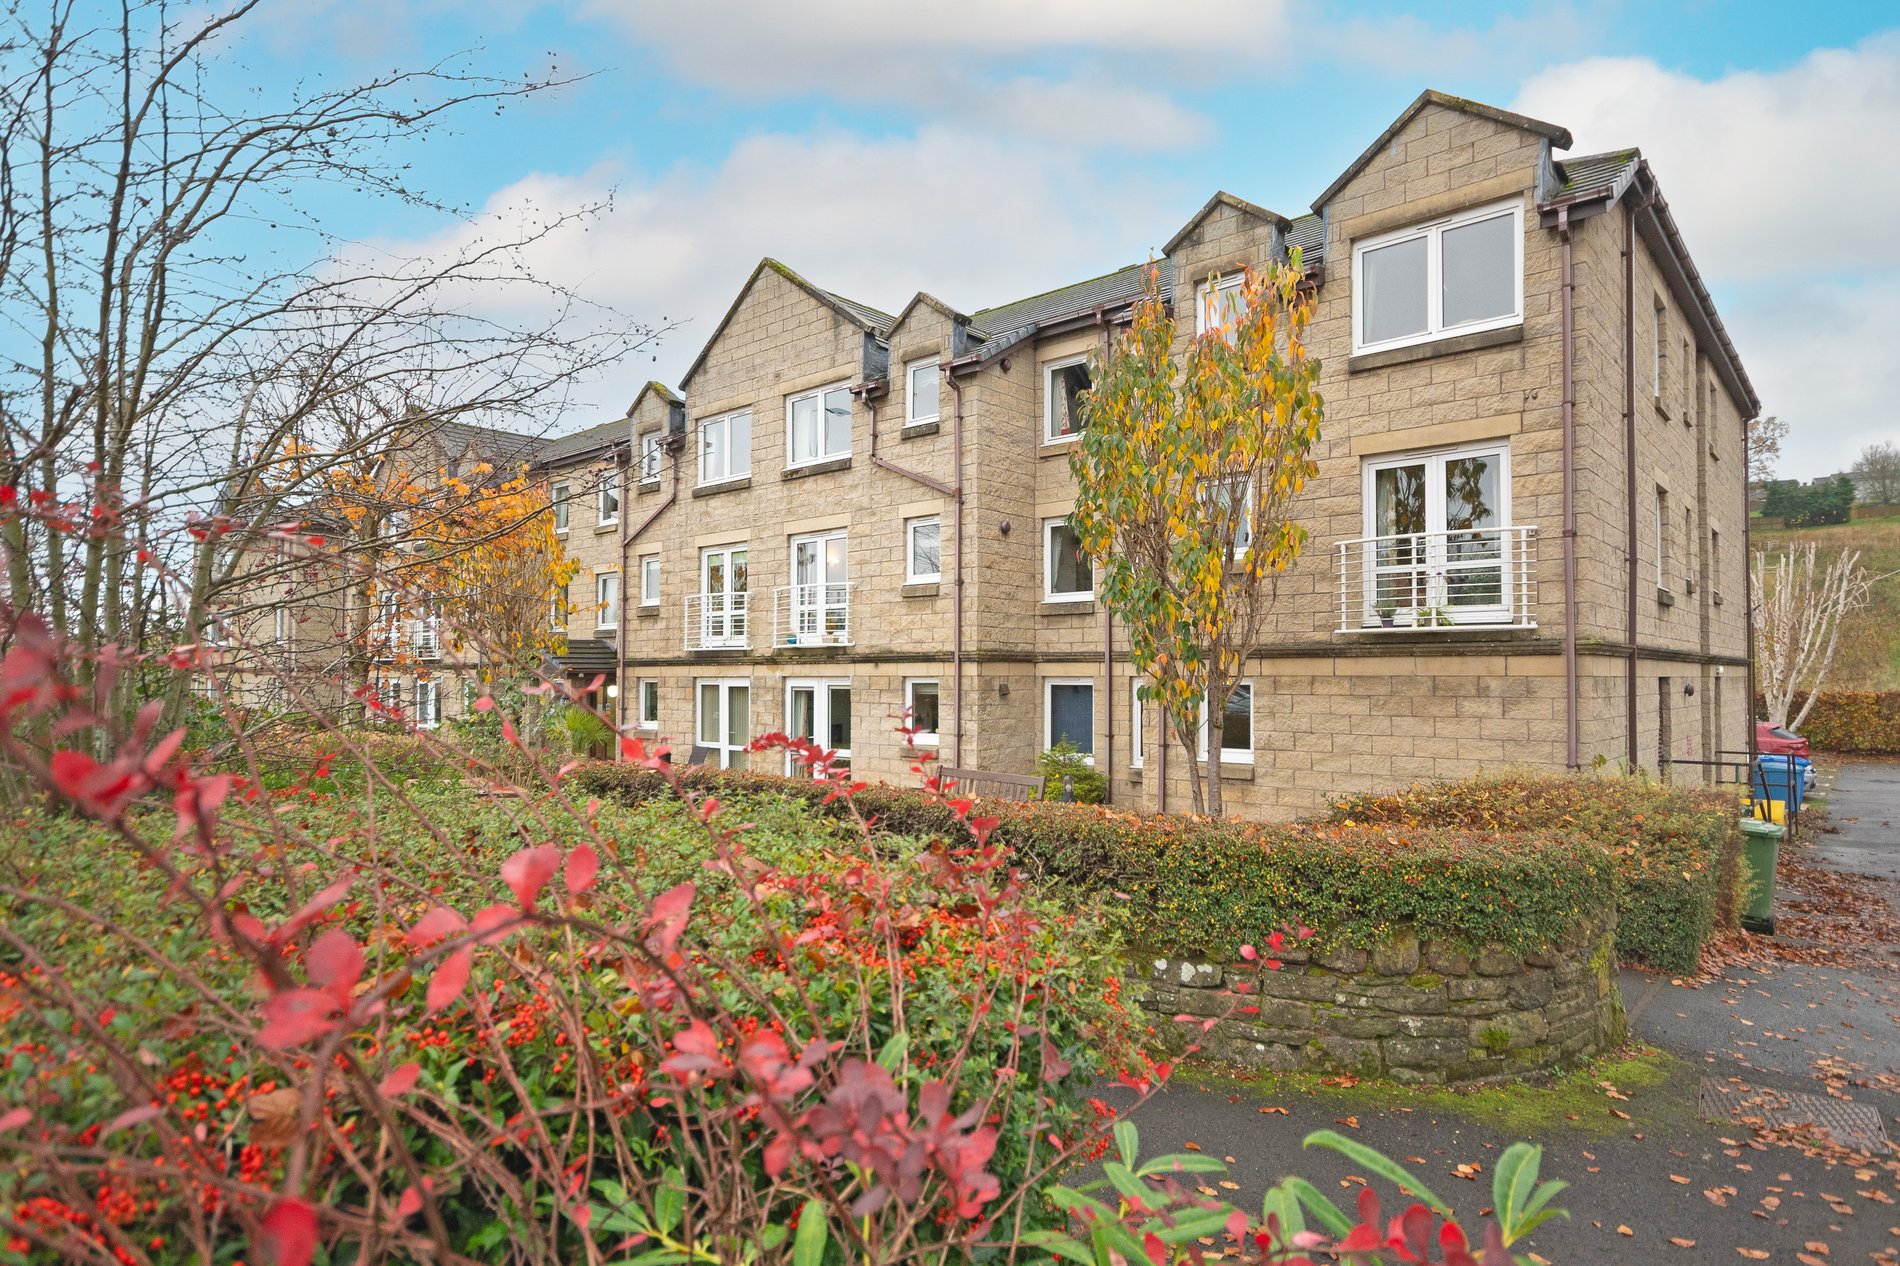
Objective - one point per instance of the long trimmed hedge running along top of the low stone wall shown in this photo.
(1219, 885)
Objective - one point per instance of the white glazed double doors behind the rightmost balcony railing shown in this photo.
(1435, 526)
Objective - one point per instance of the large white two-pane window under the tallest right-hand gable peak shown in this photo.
(1453, 277)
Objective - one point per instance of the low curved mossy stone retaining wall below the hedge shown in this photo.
(1405, 1010)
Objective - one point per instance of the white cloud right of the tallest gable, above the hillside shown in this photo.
(1785, 193)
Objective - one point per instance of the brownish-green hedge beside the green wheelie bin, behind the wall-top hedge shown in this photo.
(1673, 849)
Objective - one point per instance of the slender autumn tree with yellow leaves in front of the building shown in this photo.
(1187, 478)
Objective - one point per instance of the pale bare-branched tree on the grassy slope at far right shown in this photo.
(1800, 605)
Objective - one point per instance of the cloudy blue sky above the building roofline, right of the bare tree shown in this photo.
(989, 149)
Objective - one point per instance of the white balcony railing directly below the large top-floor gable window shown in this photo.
(1439, 581)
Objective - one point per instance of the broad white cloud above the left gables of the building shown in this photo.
(972, 220)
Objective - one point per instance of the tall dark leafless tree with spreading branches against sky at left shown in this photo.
(183, 334)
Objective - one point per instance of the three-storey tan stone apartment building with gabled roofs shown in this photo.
(1532, 463)
